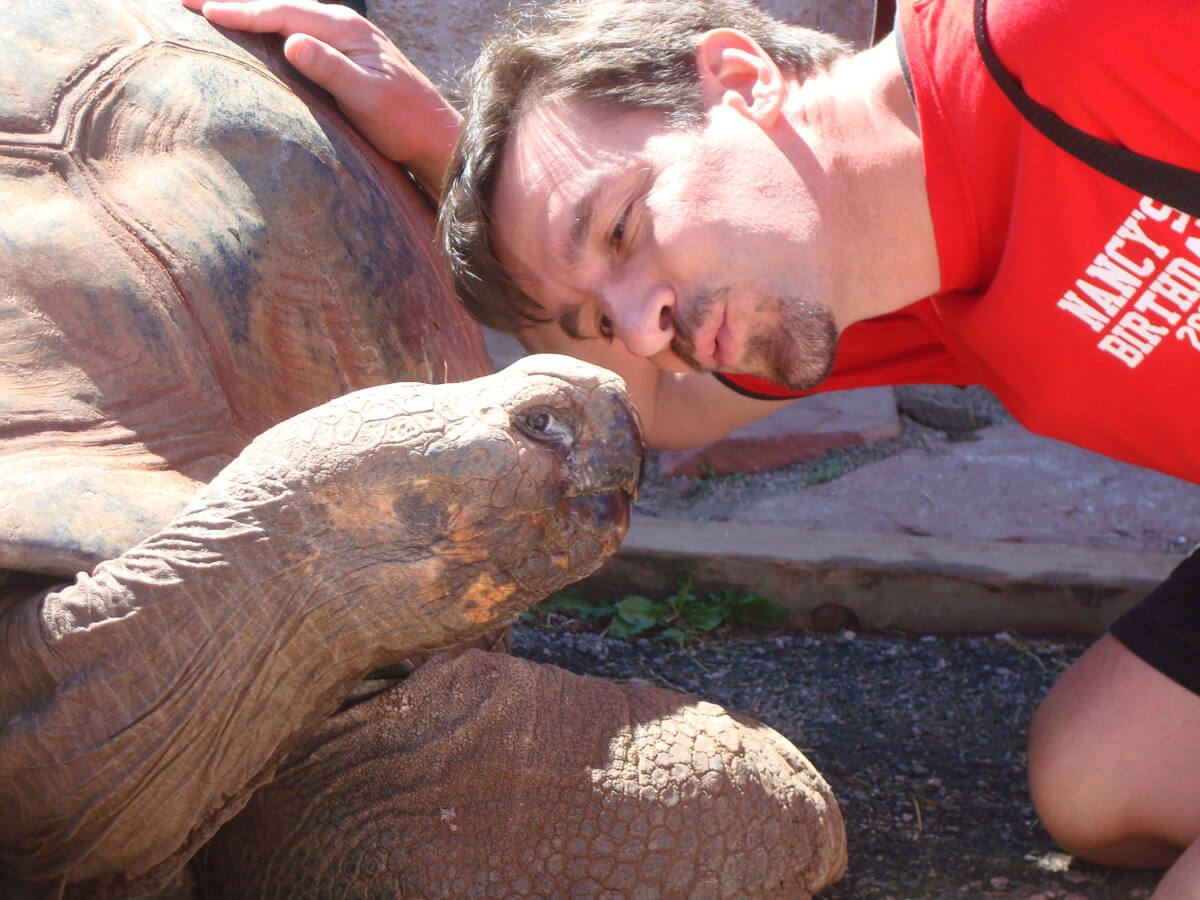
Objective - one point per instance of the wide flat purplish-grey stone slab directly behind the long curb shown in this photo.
(1009, 485)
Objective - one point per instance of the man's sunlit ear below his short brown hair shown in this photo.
(737, 73)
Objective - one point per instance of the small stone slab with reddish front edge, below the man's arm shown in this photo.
(801, 430)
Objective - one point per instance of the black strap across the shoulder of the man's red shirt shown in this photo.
(1173, 185)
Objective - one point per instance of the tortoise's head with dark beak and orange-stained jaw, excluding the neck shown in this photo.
(544, 464)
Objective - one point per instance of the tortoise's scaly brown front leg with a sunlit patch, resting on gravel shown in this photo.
(488, 776)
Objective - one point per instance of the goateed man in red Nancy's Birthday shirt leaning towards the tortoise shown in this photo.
(680, 189)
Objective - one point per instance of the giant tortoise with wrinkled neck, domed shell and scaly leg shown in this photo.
(231, 493)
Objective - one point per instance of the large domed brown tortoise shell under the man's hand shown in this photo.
(195, 245)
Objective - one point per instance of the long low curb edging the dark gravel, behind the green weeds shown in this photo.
(883, 583)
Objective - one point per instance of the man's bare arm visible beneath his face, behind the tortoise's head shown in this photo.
(680, 410)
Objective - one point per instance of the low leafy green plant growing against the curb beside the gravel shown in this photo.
(680, 619)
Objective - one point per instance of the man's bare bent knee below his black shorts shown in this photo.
(1115, 765)
